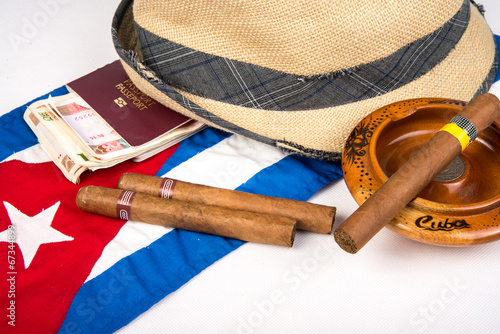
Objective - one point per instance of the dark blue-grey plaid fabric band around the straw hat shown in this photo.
(253, 86)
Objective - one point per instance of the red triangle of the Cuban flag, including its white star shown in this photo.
(38, 284)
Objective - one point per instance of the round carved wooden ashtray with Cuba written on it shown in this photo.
(461, 206)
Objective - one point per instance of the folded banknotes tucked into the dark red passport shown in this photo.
(78, 139)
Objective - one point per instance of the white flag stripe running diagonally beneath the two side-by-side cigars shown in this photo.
(227, 164)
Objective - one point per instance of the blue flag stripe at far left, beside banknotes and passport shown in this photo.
(15, 133)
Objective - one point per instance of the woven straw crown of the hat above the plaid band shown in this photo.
(295, 36)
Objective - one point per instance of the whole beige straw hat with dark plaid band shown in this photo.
(301, 74)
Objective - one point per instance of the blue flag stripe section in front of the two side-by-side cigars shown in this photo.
(137, 282)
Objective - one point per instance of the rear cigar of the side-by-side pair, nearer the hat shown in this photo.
(309, 216)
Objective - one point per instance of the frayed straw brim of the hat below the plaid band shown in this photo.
(468, 70)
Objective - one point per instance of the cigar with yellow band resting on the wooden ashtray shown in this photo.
(422, 167)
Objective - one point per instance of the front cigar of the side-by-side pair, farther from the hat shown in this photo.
(243, 225)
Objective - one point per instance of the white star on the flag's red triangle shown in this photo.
(31, 232)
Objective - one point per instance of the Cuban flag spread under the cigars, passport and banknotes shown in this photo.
(69, 271)
